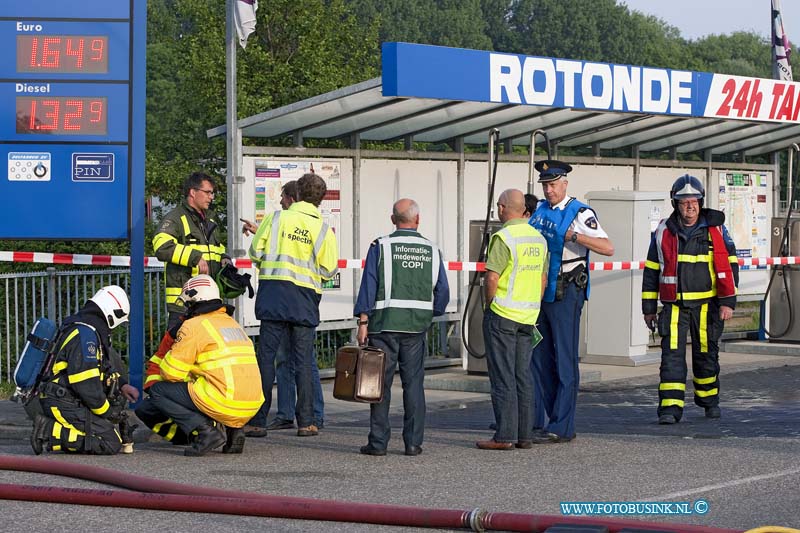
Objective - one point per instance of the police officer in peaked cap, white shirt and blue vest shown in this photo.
(572, 230)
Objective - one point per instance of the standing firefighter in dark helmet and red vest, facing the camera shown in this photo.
(692, 268)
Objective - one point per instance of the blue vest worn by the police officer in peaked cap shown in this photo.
(553, 225)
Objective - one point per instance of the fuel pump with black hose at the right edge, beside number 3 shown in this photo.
(785, 243)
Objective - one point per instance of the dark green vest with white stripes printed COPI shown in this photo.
(407, 273)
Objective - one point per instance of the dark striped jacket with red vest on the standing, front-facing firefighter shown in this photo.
(690, 266)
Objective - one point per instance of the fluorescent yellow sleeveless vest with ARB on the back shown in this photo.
(519, 289)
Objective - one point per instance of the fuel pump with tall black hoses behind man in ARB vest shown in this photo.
(480, 232)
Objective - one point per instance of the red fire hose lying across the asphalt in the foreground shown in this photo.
(155, 494)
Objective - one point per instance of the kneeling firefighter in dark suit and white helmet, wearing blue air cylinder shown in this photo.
(83, 396)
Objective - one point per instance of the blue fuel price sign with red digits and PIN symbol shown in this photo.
(68, 117)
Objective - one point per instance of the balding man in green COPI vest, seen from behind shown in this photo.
(403, 287)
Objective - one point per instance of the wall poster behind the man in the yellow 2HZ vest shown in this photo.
(270, 177)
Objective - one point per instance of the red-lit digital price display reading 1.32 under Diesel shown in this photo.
(62, 115)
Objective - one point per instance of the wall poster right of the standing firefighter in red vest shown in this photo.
(743, 199)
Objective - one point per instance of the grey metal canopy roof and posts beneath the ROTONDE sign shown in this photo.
(361, 112)
